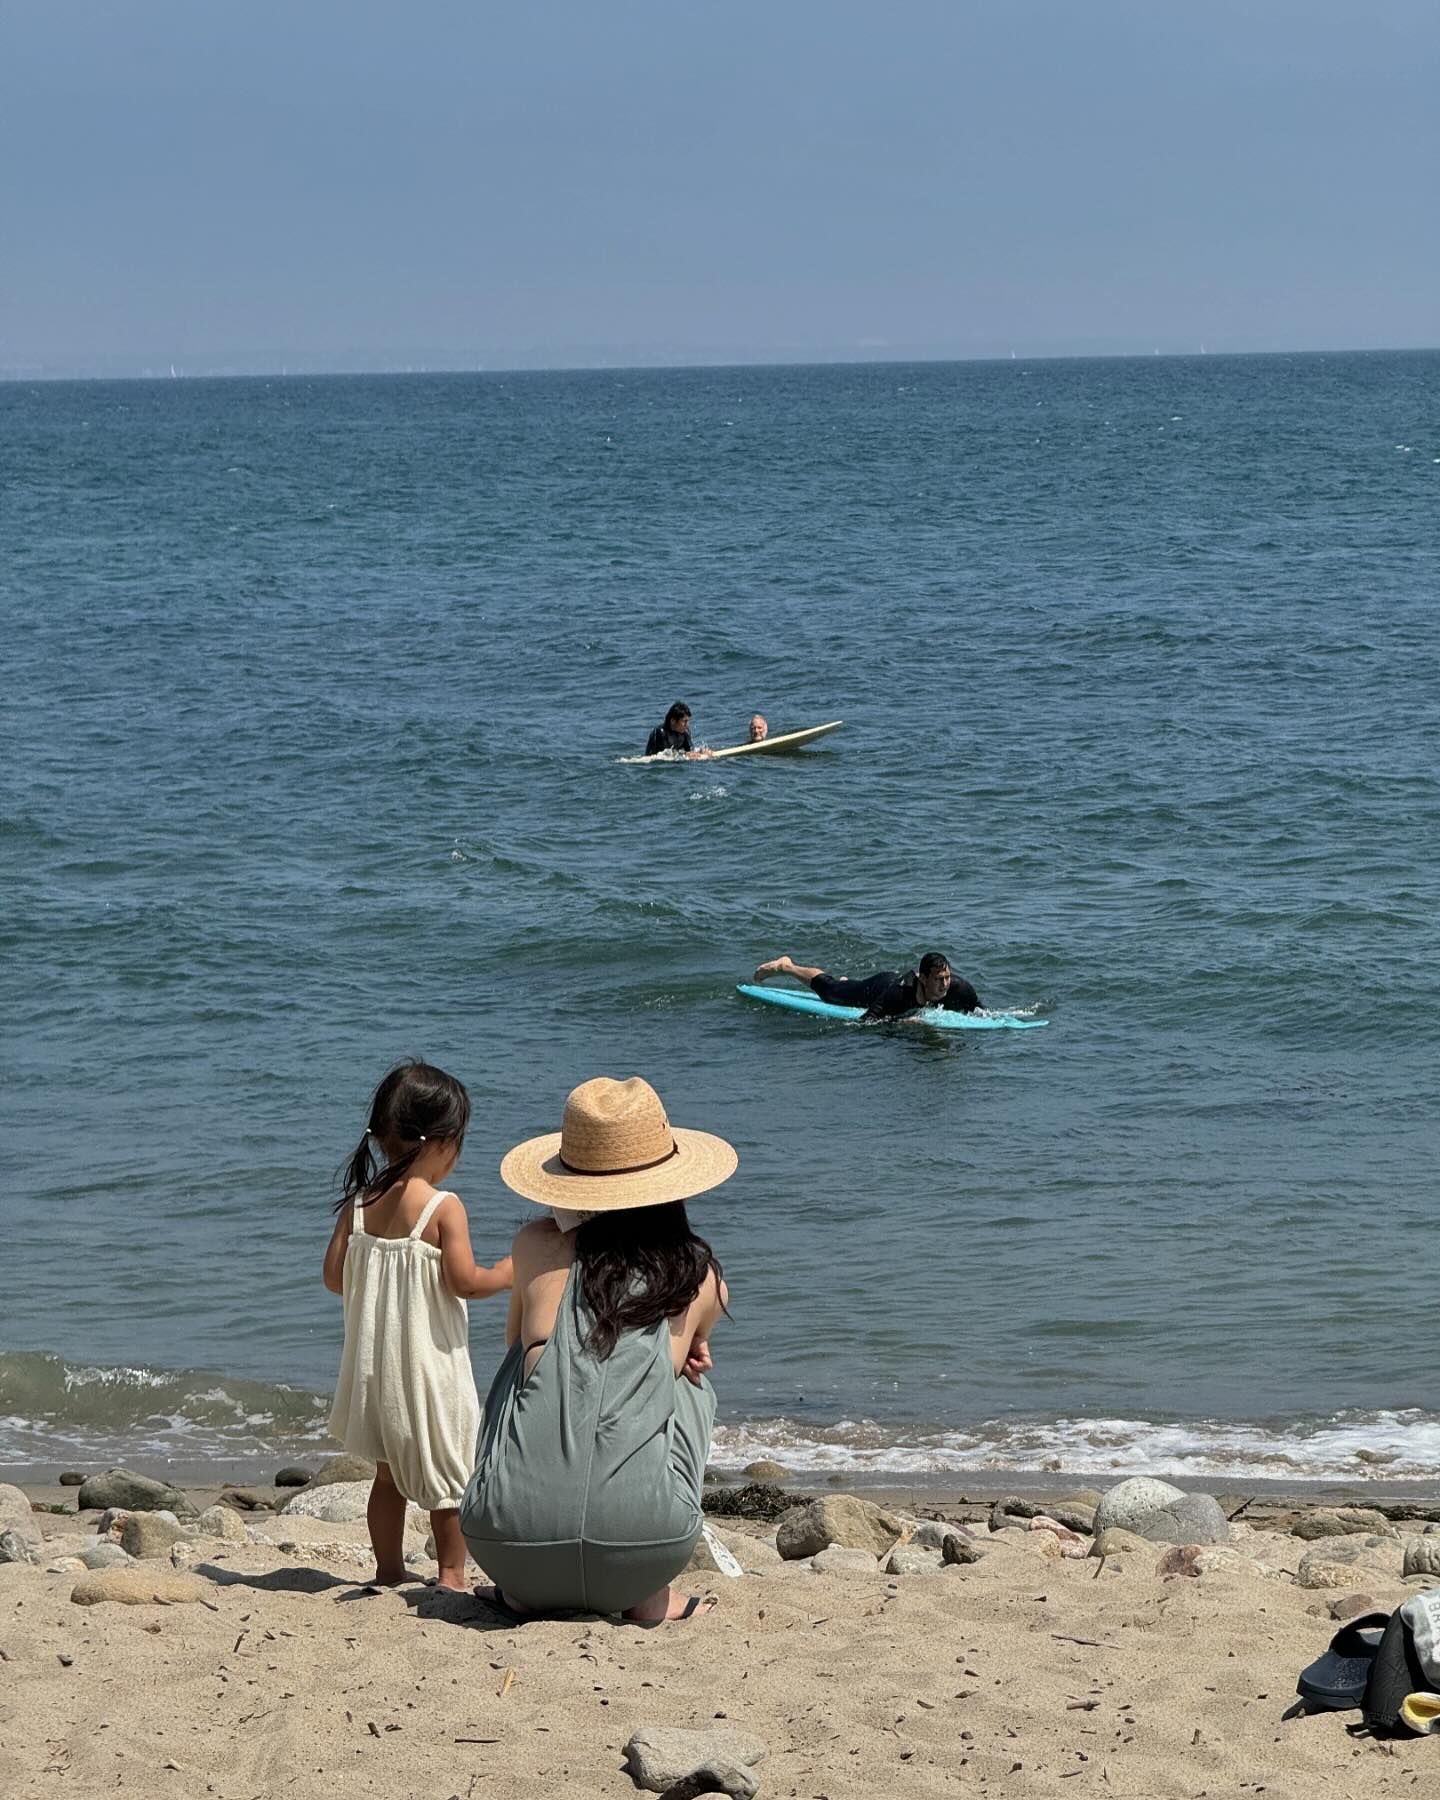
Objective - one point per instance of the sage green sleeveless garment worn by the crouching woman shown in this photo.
(589, 1477)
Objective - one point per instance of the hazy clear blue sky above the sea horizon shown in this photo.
(557, 183)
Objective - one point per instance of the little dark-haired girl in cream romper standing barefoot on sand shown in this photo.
(400, 1257)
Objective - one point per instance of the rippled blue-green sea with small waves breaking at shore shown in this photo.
(314, 703)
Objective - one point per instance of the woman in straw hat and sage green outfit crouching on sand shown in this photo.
(597, 1428)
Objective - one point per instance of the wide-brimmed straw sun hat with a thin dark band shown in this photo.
(616, 1149)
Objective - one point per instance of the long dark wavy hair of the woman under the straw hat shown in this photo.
(634, 1270)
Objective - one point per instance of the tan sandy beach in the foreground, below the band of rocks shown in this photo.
(1021, 1673)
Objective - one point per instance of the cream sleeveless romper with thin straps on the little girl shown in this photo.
(408, 1392)
